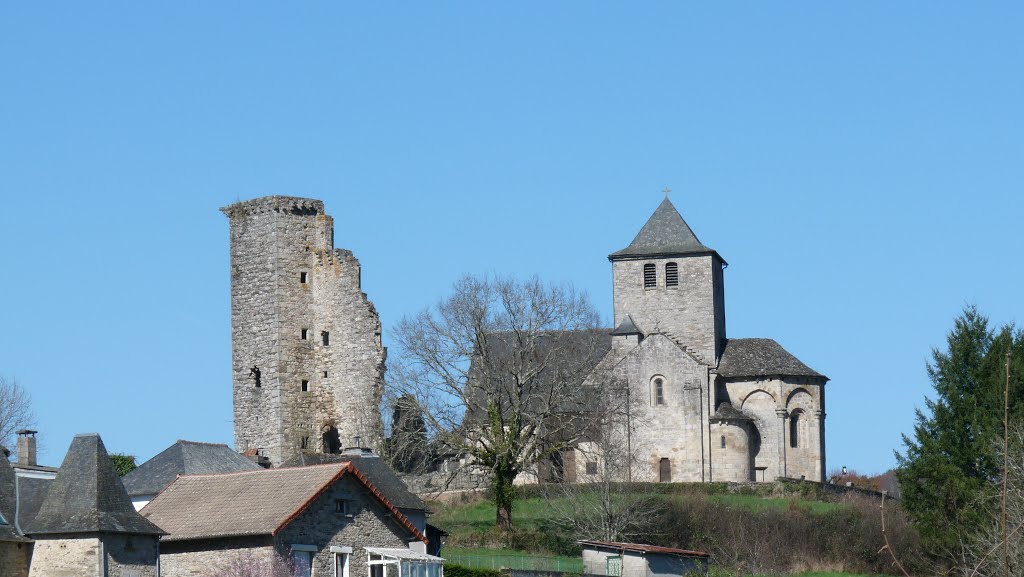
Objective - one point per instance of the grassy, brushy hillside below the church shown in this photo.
(771, 529)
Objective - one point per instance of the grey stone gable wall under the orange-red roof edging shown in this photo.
(368, 524)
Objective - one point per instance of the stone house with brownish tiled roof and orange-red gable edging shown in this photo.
(326, 518)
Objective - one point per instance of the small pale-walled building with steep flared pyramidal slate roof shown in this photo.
(87, 526)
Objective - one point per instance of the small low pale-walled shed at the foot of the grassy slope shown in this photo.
(633, 560)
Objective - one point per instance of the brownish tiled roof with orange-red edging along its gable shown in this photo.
(255, 503)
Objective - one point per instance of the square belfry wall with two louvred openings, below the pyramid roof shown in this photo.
(694, 313)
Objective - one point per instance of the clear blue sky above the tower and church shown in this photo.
(859, 164)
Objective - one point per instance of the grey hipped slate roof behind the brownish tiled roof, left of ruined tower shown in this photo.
(185, 458)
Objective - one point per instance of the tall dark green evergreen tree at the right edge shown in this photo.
(952, 465)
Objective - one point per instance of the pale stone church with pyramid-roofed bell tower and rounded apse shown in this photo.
(708, 407)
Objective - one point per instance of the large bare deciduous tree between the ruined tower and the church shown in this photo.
(498, 369)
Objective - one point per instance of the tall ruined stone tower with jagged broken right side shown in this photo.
(308, 364)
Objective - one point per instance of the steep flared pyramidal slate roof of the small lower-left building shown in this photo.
(88, 497)
